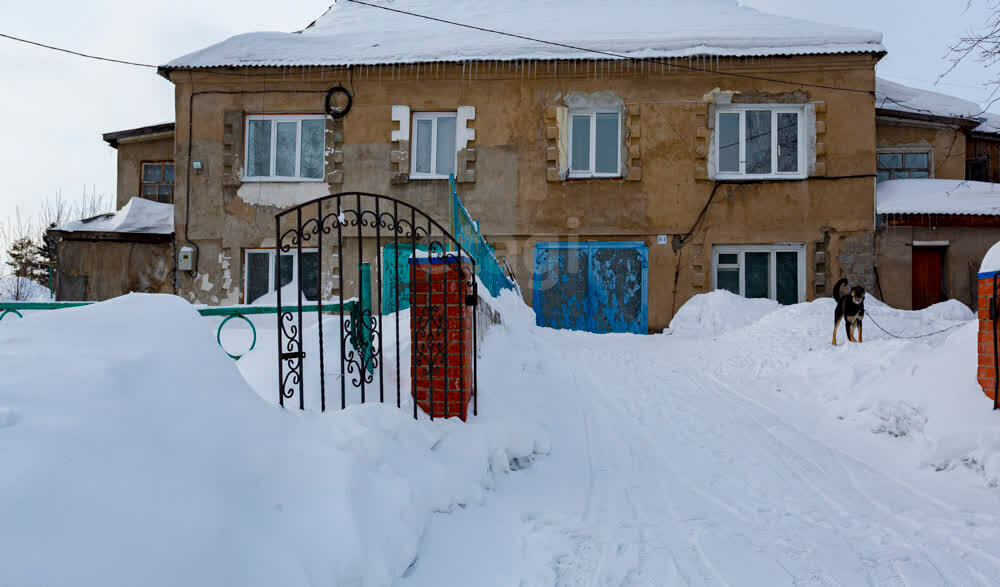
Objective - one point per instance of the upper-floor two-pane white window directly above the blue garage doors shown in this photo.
(595, 138)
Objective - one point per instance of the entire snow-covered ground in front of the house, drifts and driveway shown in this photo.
(739, 448)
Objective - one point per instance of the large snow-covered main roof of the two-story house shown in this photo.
(350, 33)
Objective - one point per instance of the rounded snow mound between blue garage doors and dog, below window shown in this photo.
(718, 312)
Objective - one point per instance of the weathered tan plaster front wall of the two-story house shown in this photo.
(509, 178)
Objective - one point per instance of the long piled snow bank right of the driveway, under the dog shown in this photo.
(921, 394)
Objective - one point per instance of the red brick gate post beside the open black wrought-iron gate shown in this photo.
(441, 330)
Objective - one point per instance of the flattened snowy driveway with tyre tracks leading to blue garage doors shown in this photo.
(675, 473)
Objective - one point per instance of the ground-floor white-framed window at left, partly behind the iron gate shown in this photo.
(260, 273)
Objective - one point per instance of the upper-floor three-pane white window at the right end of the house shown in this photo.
(757, 141)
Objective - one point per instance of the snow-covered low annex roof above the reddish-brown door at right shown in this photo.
(938, 196)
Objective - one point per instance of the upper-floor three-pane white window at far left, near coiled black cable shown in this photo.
(285, 147)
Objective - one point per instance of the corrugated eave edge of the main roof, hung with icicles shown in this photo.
(878, 50)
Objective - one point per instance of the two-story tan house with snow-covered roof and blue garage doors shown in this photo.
(726, 147)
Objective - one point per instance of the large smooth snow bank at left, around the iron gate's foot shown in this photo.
(132, 452)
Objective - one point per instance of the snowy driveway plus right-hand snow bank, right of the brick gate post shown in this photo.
(763, 456)
